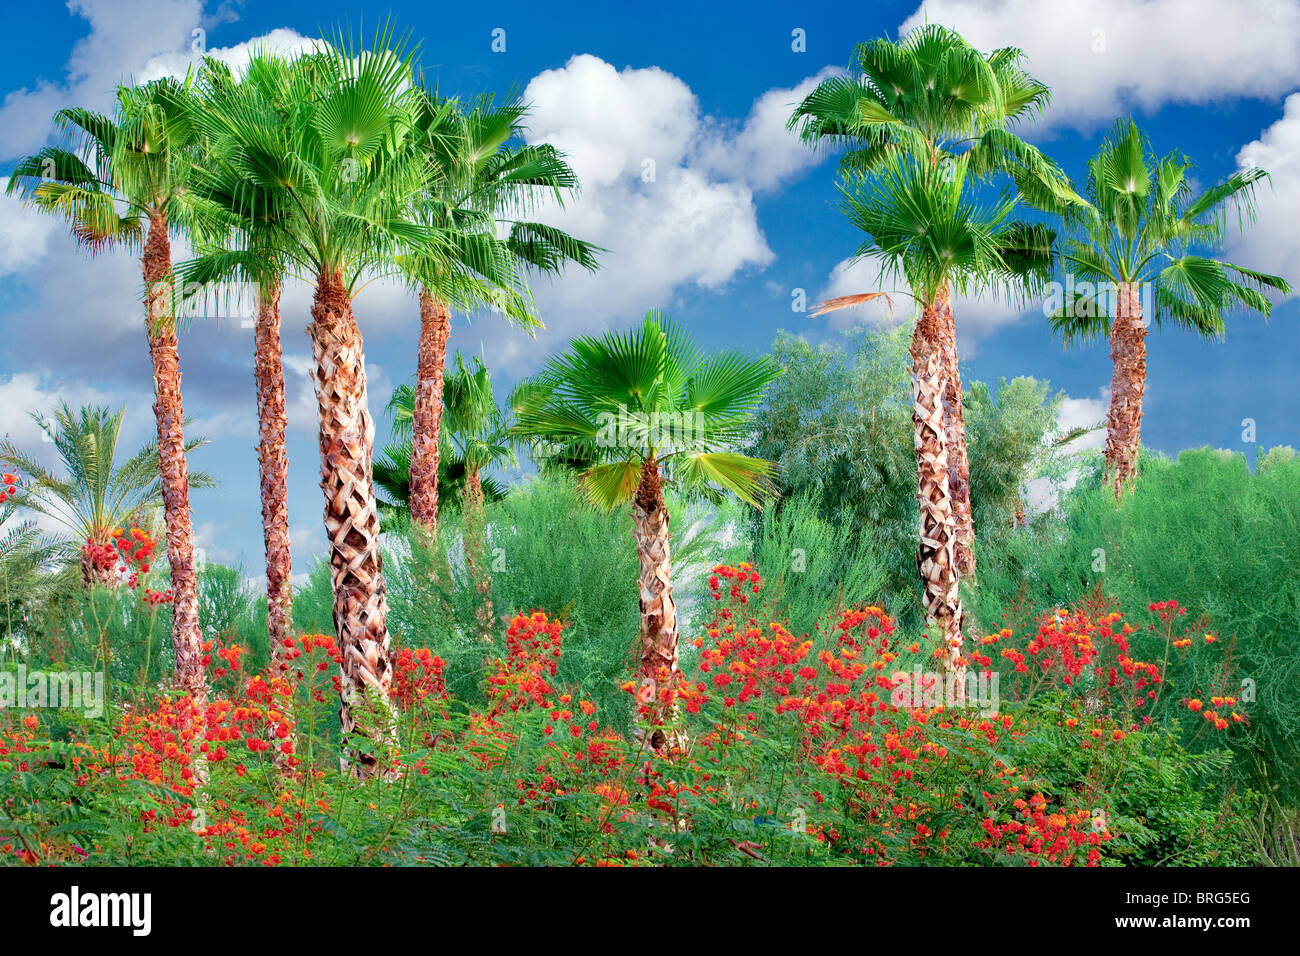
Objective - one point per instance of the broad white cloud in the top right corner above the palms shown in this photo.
(1106, 58)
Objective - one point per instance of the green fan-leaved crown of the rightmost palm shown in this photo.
(1143, 230)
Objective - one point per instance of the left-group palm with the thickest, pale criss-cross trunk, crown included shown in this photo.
(336, 175)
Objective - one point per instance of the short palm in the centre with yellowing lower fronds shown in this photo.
(649, 409)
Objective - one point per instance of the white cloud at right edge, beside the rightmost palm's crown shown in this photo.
(1272, 243)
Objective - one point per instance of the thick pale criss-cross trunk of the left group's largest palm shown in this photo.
(353, 529)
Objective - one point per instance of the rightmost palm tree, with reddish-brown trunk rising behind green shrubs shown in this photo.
(1146, 237)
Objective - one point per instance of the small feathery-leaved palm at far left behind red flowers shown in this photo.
(94, 496)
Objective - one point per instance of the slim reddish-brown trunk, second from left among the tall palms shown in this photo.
(274, 470)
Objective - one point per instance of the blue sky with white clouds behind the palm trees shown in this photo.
(736, 219)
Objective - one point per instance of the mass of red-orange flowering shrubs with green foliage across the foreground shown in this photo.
(785, 749)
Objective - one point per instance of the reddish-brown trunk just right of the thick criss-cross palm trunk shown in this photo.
(427, 419)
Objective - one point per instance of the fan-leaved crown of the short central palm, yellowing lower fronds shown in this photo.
(647, 396)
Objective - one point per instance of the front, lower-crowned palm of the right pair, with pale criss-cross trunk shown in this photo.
(924, 227)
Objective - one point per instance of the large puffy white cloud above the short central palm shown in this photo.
(669, 192)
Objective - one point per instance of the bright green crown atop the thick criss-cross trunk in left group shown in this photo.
(317, 157)
